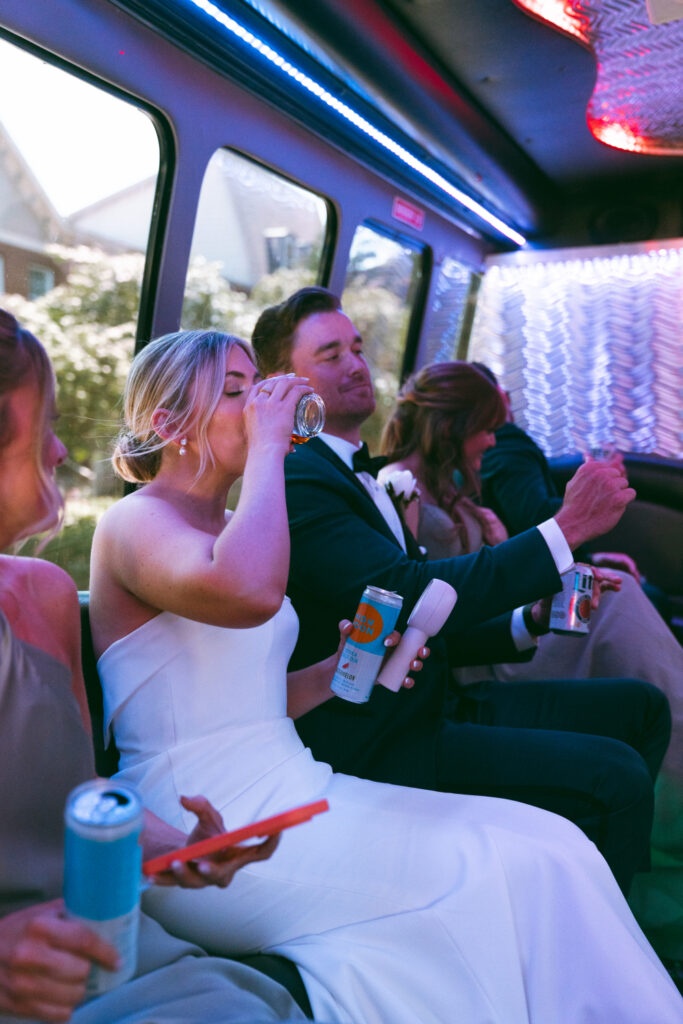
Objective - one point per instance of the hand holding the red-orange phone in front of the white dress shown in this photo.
(221, 868)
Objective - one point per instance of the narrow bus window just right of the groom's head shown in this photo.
(385, 278)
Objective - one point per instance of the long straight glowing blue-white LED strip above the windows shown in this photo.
(358, 120)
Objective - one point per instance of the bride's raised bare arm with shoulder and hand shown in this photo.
(149, 546)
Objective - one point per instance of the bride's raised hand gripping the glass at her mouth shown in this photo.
(270, 410)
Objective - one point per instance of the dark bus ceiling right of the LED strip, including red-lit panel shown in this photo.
(516, 106)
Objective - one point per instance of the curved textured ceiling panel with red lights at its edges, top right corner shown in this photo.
(637, 103)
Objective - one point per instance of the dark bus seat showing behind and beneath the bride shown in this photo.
(107, 760)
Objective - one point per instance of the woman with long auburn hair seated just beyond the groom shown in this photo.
(444, 422)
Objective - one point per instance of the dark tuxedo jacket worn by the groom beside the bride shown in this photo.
(341, 543)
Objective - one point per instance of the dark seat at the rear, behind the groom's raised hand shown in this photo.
(652, 527)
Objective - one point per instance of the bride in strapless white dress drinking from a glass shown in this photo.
(398, 906)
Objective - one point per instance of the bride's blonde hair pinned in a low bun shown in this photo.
(185, 374)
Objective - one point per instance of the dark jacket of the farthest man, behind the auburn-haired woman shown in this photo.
(517, 482)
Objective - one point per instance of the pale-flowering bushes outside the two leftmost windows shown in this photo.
(89, 328)
